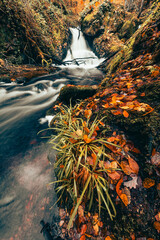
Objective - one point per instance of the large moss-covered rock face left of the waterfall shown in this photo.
(33, 31)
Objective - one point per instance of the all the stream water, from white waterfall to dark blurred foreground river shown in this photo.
(25, 198)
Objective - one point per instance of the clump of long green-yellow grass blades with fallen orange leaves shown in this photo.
(80, 166)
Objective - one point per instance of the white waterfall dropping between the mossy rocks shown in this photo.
(80, 53)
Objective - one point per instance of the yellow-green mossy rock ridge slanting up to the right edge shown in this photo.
(140, 42)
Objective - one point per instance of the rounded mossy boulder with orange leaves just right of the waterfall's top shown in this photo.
(102, 24)
